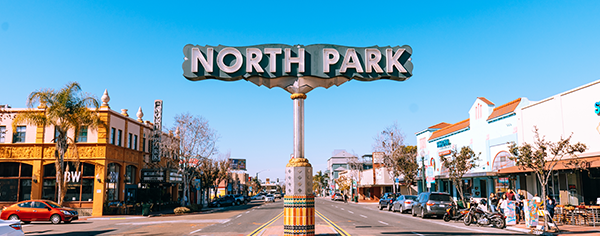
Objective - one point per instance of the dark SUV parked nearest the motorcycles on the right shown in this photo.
(431, 203)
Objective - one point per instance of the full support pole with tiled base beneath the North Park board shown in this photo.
(299, 201)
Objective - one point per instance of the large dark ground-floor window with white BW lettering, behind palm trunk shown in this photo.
(80, 182)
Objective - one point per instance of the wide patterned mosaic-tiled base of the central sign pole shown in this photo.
(299, 202)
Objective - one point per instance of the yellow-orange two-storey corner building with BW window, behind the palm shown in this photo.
(113, 167)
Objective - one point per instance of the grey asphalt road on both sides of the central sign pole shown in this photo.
(258, 218)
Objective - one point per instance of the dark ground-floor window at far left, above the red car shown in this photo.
(15, 181)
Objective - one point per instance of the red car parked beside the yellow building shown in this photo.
(39, 210)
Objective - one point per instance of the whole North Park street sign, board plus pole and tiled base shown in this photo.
(297, 69)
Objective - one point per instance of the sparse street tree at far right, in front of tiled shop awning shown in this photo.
(542, 157)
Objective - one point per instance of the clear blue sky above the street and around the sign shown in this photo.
(500, 50)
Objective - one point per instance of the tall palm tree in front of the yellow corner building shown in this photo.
(65, 109)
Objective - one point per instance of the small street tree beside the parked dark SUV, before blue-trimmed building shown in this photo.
(458, 164)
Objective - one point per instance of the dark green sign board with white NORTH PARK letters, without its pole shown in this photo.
(268, 61)
